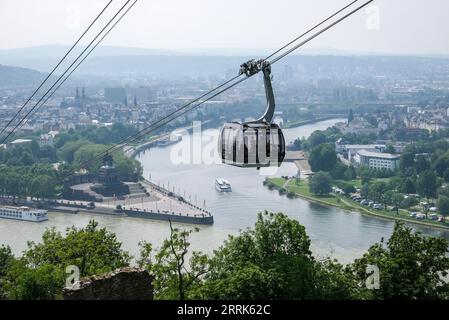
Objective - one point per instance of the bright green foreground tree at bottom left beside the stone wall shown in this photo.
(39, 273)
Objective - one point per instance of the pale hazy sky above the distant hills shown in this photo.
(392, 26)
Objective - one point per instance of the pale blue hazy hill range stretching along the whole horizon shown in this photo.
(113, 62)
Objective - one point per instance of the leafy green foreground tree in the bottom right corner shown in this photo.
(411, 267)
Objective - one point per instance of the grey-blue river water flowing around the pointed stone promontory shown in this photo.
(341, 234)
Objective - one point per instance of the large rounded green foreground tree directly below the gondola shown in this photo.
(271, 261)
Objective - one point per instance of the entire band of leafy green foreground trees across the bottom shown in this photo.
(272, 260)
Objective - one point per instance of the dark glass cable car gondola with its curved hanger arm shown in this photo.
(258, 143)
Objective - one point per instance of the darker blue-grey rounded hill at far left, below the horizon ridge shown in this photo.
(14, 77)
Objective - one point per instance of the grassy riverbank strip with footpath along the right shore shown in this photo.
(292, 188)
